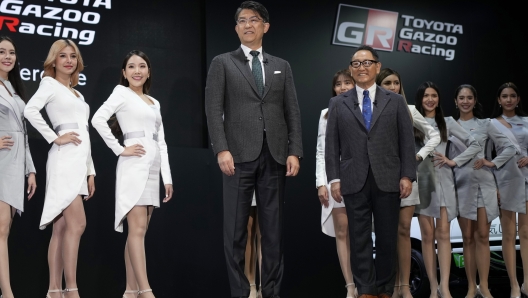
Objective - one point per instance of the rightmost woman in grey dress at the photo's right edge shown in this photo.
(512, 182)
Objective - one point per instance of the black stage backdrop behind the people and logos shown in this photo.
(184, 243)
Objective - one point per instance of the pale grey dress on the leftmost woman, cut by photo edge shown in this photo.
(17, 162)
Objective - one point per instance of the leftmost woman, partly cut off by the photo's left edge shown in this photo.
(15, 158)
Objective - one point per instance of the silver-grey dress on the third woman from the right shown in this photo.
(437, 185)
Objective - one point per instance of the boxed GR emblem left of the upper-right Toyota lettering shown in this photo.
(360, 25)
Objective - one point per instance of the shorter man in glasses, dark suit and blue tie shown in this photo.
(370, 163)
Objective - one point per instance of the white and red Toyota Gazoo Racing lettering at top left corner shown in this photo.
(48, 20)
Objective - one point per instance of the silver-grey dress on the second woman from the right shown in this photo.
(477, 188)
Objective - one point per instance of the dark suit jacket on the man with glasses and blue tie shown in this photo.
(388, 148)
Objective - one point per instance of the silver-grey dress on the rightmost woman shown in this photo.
(512, 180)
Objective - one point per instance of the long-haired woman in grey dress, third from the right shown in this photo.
(437, 187)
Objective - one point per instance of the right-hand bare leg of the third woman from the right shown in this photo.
(443, 241)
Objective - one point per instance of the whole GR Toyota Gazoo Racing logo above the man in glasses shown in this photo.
(378, 28)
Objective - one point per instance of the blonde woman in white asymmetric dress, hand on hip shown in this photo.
(69, 161)
